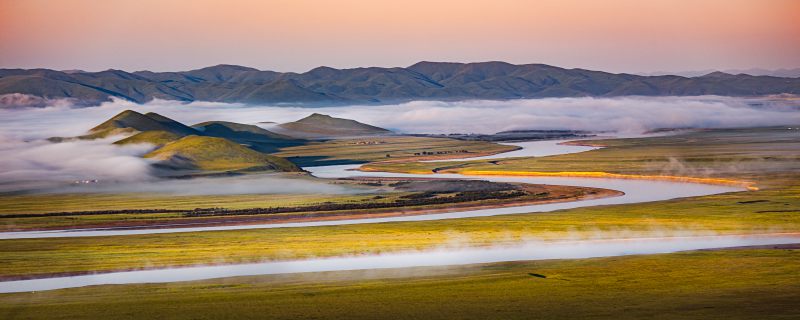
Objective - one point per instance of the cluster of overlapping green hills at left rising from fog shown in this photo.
(212, 146)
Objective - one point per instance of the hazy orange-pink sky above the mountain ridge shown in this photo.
(298, 35)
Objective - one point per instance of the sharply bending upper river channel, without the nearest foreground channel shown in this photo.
(635, 191)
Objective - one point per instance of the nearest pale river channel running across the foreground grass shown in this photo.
(438, 257)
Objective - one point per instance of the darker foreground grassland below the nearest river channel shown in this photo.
(726, 284)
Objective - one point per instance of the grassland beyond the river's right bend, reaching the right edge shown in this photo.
(763, 155)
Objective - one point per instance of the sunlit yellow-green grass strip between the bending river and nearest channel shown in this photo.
(733, 213)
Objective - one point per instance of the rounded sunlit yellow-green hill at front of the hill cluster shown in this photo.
(216, 154)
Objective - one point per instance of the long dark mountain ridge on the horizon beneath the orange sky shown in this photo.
(423, 80)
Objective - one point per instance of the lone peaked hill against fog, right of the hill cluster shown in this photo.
(320, 126)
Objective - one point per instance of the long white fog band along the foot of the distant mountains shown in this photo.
(625, 114)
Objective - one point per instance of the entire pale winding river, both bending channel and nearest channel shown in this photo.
(635, 191)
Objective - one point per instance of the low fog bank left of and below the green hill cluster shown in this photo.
(43, 167)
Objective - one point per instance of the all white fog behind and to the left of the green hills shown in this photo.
(25, 156)
